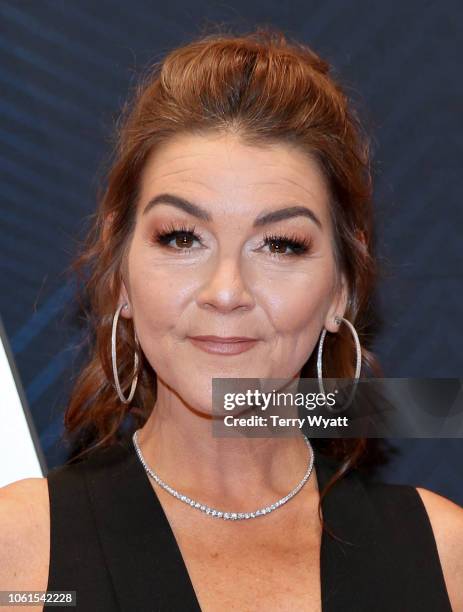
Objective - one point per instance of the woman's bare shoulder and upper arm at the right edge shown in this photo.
(446, 518)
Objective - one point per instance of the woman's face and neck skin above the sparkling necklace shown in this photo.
(228, 285)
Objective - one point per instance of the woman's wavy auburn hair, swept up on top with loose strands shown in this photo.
(267, 89)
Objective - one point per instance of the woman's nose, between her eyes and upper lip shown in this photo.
(225, 289)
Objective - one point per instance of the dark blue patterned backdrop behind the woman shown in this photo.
(66, 70)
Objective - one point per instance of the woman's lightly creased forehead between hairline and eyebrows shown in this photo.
(221, 169)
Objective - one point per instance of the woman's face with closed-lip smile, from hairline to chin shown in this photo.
(227, 272)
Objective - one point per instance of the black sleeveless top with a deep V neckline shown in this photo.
(111, 542)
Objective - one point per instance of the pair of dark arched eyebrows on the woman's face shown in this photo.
(263, 219)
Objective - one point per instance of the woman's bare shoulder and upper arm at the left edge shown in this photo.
(24, 534)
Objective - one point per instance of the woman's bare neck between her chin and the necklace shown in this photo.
(236, 472)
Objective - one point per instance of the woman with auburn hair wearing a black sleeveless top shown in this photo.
(238, 206)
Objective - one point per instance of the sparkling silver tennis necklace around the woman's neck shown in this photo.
(220, 513)
